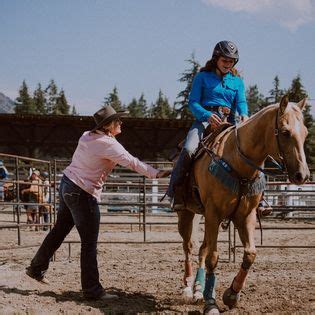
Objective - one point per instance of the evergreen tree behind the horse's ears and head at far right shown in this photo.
(296, 93)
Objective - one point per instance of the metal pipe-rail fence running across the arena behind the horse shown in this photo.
(128, 194)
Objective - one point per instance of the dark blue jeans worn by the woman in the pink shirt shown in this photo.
(78, 208)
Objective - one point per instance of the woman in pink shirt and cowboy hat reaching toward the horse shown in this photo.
(96, 155)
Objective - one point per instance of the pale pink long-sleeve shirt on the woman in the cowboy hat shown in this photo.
(95, 157)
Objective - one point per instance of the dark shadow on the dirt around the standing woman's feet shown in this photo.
(128, 303)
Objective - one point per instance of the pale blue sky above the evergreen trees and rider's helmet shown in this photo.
(141, 46)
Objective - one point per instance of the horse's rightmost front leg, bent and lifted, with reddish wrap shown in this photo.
(246, 231)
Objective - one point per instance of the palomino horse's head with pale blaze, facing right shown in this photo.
(291, 134)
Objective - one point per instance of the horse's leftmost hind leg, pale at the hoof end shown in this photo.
(185, 228)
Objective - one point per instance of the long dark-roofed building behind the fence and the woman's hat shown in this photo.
(52, 136)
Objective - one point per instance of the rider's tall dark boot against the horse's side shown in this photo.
(176, 188)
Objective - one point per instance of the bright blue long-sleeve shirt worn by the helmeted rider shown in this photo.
(209, 89)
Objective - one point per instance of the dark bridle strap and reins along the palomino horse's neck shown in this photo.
(282, 166)
